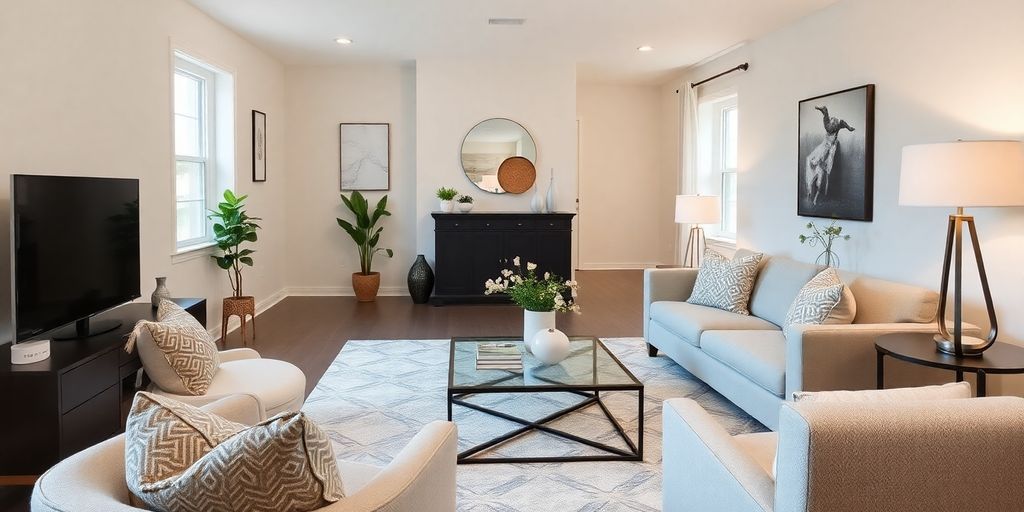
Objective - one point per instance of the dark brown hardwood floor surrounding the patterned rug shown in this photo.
(311, 331)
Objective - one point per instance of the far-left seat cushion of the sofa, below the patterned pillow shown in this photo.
(690, 321)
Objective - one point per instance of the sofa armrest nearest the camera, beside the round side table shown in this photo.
(842, 357)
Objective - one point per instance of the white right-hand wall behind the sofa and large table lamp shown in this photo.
(943, 72)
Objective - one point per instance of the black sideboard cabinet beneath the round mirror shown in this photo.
(472, 248)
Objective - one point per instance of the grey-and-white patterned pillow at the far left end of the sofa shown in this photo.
(726, 284)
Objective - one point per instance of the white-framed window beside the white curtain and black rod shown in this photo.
(717, 159)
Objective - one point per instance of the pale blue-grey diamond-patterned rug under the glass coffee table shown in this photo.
(377, 395)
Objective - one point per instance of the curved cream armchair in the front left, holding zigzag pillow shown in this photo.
(420, 479)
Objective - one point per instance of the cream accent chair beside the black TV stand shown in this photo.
(278, 387)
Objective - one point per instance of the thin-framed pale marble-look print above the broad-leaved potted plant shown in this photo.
(366, 156)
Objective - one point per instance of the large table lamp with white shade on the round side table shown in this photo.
(989, 174)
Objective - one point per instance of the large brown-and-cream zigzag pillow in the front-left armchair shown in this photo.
(184, 459)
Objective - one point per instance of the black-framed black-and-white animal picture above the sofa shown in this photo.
(836, 166)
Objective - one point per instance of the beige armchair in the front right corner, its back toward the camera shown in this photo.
(938, 456)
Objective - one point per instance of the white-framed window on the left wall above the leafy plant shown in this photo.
(202, 126)
